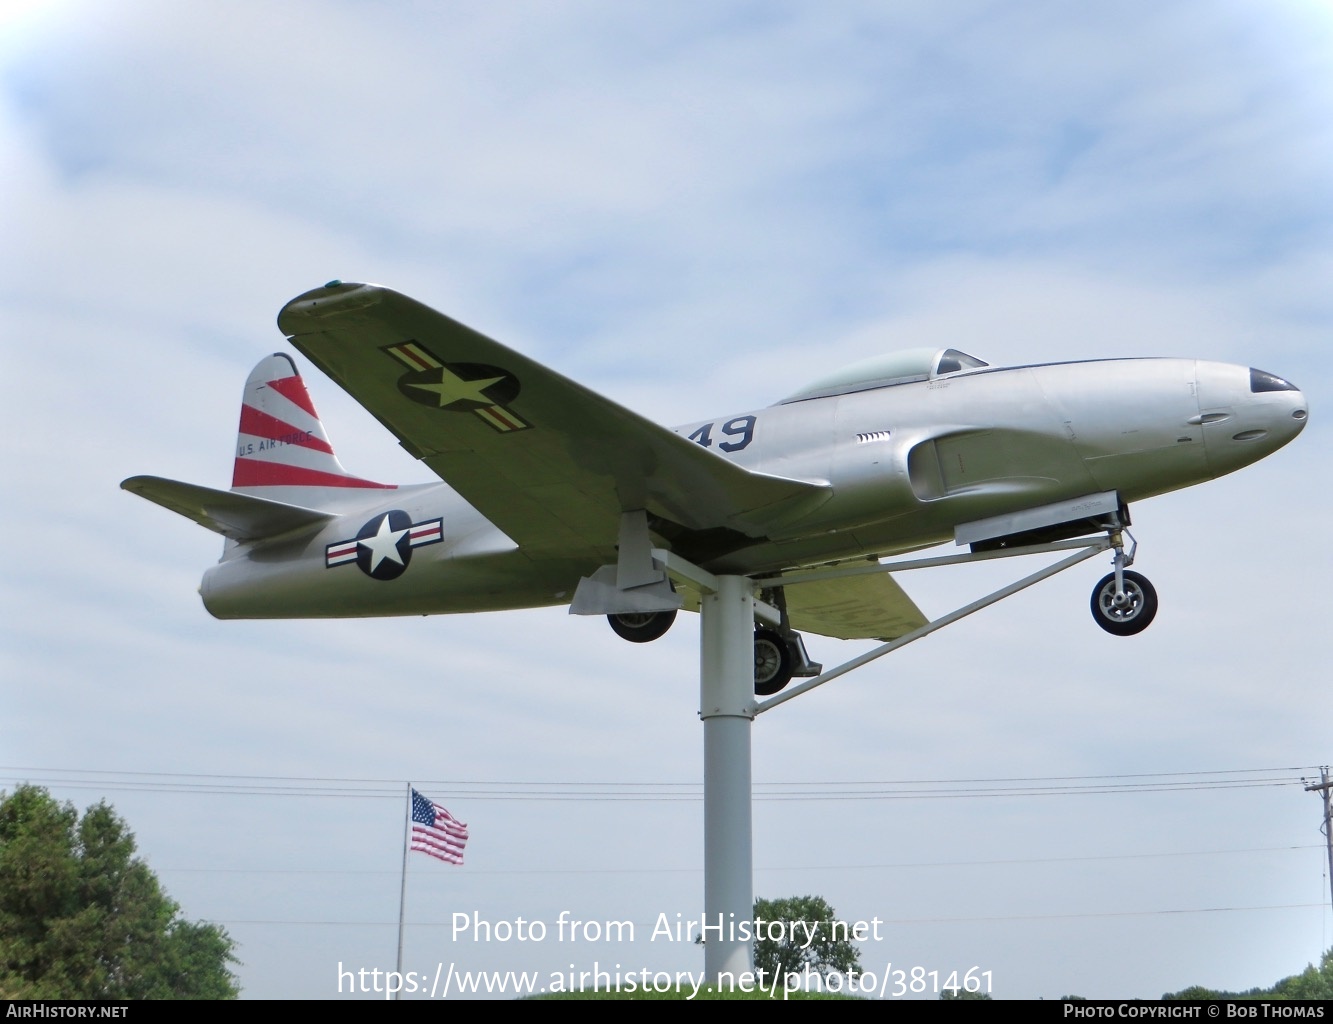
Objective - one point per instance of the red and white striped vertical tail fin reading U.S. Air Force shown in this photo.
(282, 442)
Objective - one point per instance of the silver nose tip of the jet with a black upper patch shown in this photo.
(1247, 414)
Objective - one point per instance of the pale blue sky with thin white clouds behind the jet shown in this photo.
(694, 210)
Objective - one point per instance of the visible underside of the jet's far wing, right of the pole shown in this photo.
(871, 607)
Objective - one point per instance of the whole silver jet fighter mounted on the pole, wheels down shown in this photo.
(557, 495)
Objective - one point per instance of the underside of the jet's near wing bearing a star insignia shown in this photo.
(547, 461)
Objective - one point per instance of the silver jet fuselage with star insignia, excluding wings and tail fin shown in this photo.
(906, 463)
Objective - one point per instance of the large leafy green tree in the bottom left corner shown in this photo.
(83, 918)
